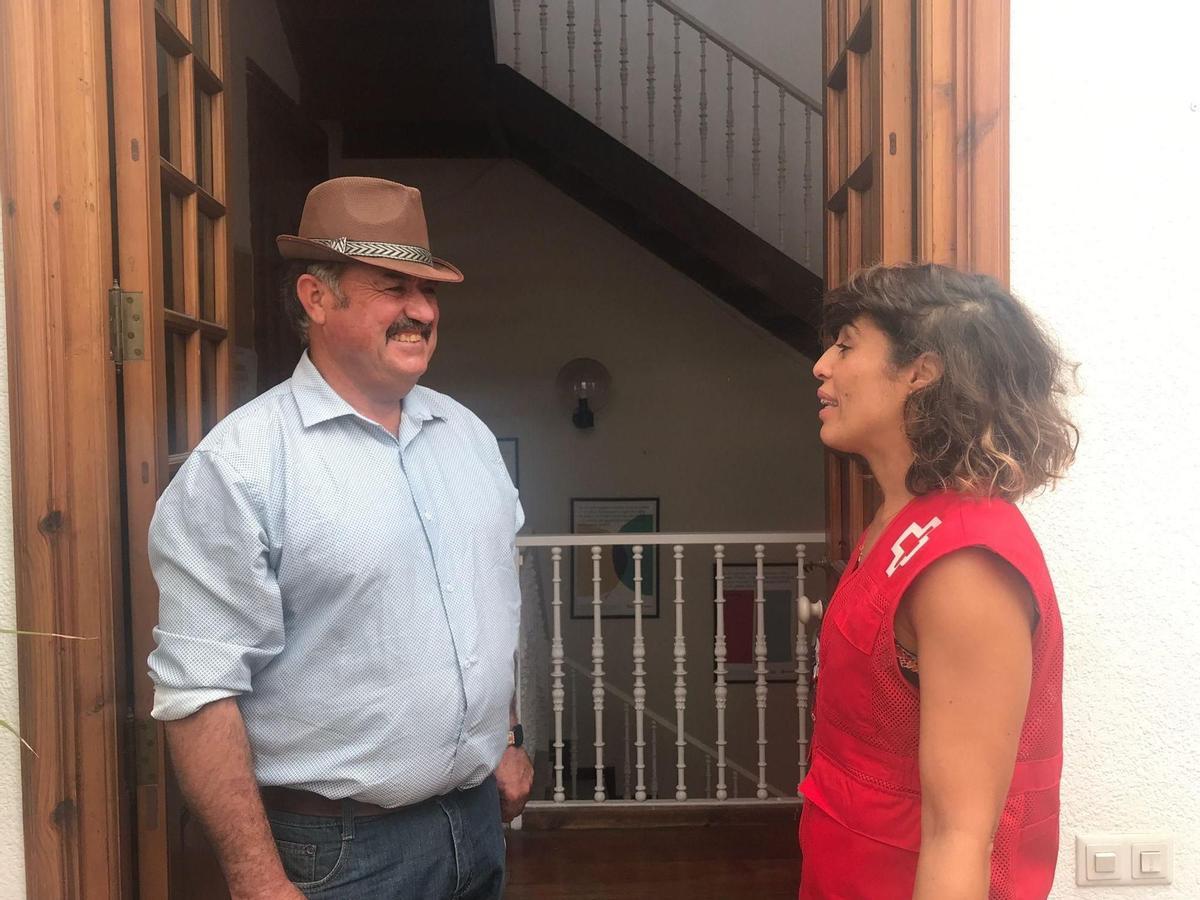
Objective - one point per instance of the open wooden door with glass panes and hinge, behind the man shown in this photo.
(169, 75)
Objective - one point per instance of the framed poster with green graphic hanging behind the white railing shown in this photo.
(614, 515)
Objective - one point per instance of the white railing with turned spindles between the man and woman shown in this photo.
(640, 761)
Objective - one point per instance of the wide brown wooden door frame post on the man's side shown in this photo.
(55, 178)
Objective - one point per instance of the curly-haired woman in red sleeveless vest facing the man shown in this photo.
(938, 736)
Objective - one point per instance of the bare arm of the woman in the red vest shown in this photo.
(973, 615)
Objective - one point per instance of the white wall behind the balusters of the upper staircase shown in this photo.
(783, 35)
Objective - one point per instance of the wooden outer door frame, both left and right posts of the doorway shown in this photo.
(55, 182)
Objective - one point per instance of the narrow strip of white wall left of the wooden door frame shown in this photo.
(13, 855)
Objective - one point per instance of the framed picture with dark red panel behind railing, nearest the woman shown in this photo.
(779, 621)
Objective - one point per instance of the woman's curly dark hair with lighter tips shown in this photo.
(994, 424)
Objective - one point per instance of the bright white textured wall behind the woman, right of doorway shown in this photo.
(1106, 218)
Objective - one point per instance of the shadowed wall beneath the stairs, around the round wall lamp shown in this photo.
(709, 412)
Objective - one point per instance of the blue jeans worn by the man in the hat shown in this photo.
(449, 848)
